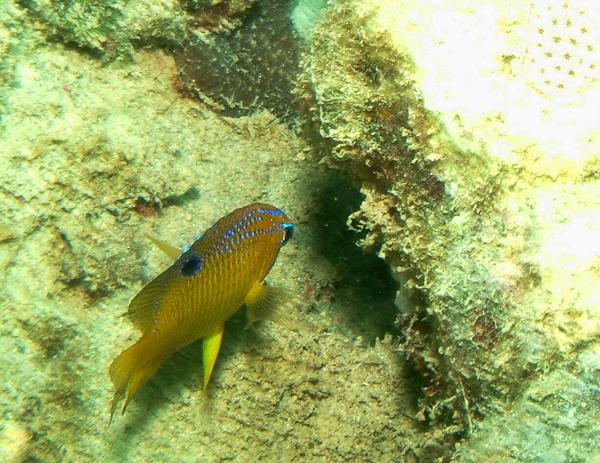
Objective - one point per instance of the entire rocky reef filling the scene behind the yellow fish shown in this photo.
(470, 130)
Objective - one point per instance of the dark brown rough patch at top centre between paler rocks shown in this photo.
(251, 68)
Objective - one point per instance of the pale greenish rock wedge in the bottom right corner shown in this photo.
(556, 420)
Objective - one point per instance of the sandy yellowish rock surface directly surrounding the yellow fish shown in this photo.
(94, 154)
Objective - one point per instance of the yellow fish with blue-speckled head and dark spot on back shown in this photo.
(205, 286)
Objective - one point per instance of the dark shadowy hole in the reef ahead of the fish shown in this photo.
(363, 287)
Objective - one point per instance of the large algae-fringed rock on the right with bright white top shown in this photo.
(474, 135)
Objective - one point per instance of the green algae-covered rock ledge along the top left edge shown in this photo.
(112, 28)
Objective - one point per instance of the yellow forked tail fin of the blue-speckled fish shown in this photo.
(131, 370)
